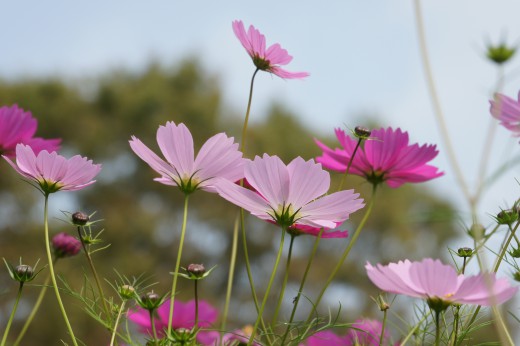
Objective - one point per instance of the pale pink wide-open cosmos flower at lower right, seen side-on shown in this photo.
(432, 280)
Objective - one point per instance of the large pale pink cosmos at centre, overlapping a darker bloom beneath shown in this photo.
(290, 195)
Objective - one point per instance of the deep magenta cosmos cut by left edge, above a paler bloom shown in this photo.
(18, 126)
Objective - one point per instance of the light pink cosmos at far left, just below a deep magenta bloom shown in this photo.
(52, 172)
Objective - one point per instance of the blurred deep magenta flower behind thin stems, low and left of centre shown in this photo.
(184, 317)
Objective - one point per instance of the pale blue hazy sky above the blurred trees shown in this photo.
(362, 55)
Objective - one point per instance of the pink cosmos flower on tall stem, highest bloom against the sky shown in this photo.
(264, 59)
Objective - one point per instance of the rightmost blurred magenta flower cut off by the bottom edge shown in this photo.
(366, 332)
